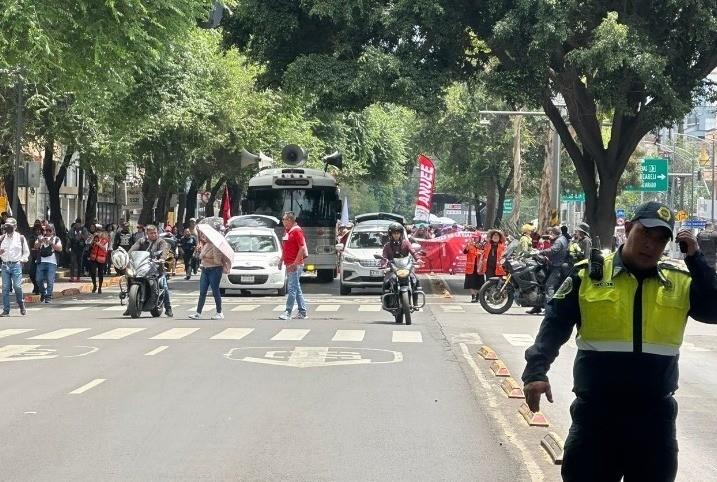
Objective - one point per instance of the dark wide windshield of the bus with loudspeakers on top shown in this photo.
(314, 207)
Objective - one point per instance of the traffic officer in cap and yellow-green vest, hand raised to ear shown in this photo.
(630, 321)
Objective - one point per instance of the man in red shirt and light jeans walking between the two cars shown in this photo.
(294, 254)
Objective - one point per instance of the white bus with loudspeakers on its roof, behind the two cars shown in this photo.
(313, 196)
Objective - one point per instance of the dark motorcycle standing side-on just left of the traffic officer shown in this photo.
(524, 283)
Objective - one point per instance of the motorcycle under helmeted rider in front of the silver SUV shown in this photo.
(398, 298)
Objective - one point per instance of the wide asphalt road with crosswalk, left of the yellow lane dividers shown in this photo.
(345, 395)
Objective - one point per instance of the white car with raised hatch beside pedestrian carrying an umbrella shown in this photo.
(257, 262)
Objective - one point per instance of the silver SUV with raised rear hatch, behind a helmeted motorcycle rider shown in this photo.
(359, 268)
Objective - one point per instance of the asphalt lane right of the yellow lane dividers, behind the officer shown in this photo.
(510, 334)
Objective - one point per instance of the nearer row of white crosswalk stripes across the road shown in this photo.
(211, 333)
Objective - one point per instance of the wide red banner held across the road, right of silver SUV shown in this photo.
(445, 254)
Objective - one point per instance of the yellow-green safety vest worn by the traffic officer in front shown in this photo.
(607, 309)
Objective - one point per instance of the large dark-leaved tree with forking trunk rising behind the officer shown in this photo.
(639, 65)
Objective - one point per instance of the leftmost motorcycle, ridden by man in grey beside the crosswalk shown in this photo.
(141, 287)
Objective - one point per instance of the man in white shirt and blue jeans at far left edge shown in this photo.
(13, 251)
